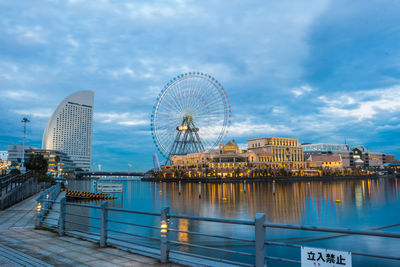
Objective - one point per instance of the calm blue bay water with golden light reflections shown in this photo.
(364, 204)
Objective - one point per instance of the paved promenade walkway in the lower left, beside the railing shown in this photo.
(22, 245)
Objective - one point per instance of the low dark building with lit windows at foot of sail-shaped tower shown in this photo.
(64, 163)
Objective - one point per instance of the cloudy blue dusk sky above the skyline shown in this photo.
(317, 70)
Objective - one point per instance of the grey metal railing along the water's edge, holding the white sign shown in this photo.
(159, 241)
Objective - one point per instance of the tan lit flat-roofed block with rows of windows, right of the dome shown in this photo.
(286, 152)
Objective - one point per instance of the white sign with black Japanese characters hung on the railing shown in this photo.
(318, 257)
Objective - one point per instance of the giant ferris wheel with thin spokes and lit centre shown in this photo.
(191, 114)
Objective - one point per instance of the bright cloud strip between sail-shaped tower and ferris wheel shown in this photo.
(124, 119)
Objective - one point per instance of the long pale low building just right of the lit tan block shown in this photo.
(324, 149)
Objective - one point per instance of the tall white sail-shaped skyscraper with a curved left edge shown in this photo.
(69, 129)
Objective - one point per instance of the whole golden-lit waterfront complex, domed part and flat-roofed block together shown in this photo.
(273, 152)
